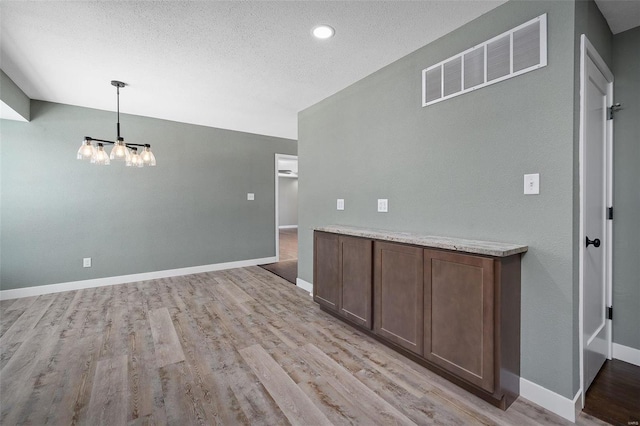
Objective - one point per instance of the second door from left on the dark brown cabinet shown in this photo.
(356, 289)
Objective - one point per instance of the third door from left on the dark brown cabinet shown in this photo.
(398, 307)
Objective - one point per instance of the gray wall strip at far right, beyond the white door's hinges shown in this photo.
(626, 183)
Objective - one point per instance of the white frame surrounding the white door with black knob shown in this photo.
(587, 50)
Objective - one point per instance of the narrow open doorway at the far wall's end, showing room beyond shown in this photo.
(286, 226)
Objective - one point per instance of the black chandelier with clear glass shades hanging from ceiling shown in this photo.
(121, 151)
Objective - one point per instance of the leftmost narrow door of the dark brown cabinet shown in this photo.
(326, 274)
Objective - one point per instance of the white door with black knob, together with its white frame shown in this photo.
(595, 238)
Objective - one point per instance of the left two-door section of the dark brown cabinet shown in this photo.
(344, 282)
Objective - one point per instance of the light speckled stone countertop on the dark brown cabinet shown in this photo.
(487, 248)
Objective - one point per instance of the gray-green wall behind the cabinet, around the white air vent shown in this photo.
(456, 169)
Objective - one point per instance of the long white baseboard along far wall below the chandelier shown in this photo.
(123, 279)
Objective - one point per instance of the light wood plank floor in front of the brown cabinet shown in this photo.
(233, 347)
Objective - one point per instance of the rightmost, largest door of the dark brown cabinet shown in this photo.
(459, 316)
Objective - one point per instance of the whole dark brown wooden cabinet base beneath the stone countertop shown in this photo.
(456, 313)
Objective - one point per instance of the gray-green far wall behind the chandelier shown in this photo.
(189, 210)
